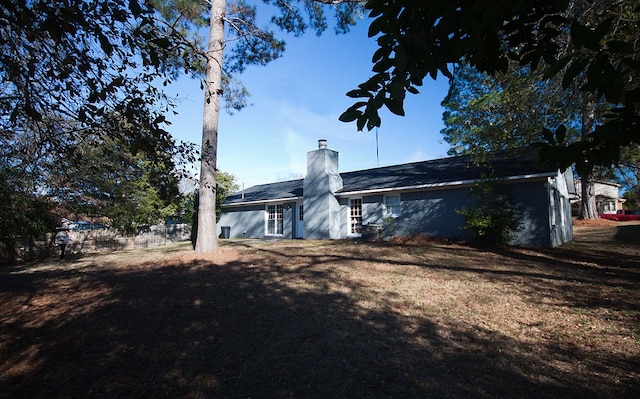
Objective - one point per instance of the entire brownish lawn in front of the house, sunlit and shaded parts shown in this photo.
(324, 319)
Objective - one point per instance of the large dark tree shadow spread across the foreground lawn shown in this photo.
(253, 328)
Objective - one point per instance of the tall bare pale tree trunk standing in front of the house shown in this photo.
(206, 239)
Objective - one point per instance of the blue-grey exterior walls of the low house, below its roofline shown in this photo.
(546, 215)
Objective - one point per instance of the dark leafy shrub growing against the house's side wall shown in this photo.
(493, 218)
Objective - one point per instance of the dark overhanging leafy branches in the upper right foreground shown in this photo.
(421, 38)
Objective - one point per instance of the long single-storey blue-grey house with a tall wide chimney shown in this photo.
(420, 197)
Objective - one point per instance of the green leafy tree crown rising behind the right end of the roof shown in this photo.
(509, 110)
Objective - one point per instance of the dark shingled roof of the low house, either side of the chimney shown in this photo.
(434, 172)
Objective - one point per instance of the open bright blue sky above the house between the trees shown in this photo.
(297, 100)
